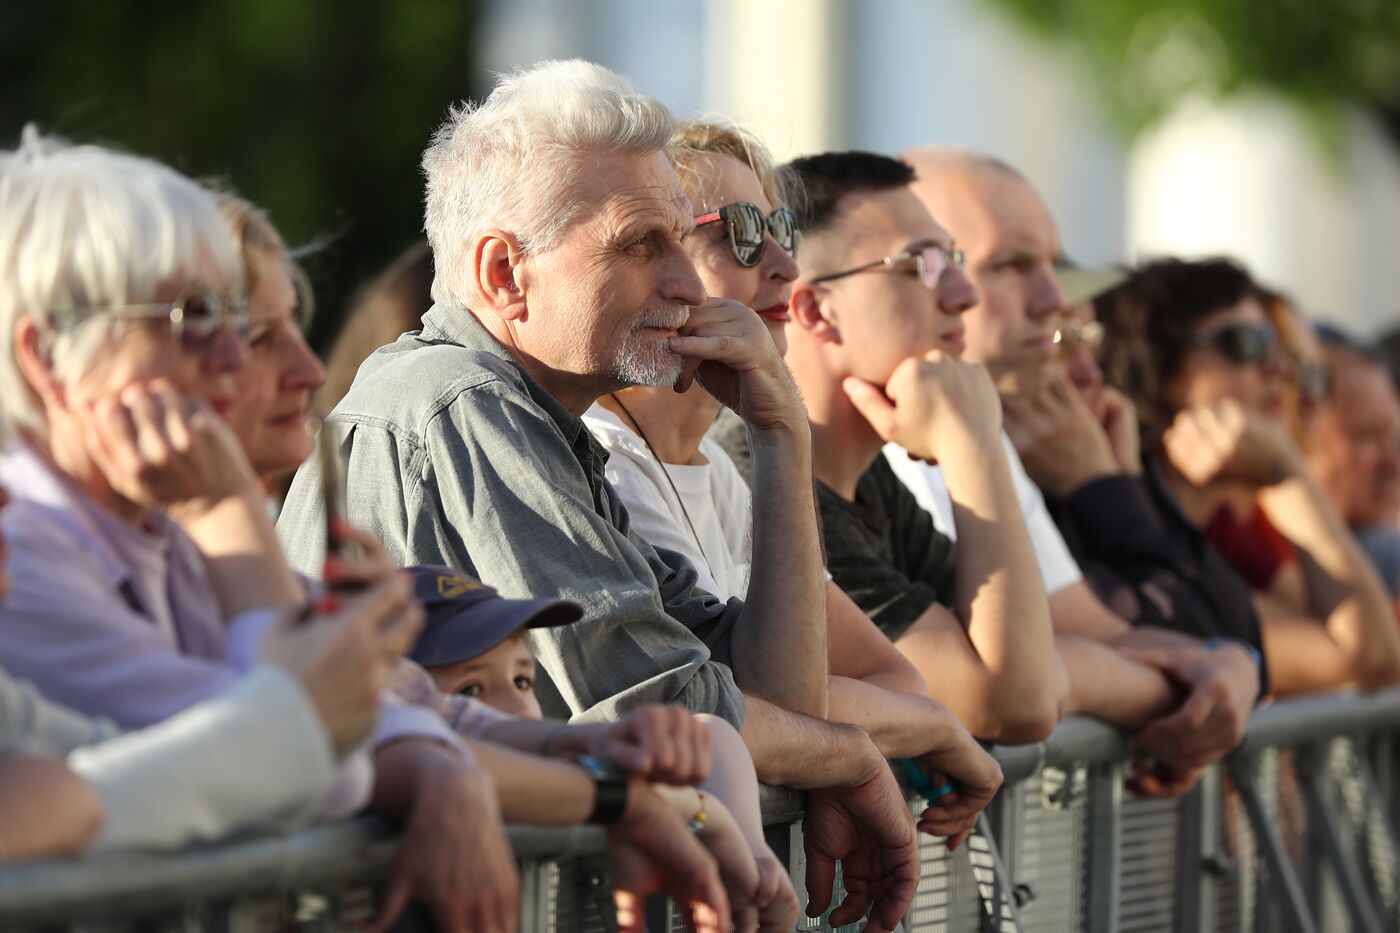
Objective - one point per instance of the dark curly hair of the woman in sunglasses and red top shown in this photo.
(1149, 324)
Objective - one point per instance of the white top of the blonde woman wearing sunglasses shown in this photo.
(716, 501)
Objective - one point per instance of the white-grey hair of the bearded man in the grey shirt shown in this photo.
(510, 160)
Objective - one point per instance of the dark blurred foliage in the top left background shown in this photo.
(316, 110)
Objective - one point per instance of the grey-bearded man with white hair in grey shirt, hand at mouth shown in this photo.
(556, 225)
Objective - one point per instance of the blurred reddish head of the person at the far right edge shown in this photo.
(1354, 450)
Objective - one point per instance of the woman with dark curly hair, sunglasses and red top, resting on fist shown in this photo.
(1192, 345)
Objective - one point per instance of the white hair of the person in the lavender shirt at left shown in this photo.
(85, 229)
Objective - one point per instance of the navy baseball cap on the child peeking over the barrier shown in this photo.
(465, 618)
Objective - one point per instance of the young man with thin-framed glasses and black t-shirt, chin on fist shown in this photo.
(880, 305)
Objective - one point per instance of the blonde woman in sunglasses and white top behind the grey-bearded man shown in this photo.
(684, 492)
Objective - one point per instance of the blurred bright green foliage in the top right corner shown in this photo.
(1144, 57)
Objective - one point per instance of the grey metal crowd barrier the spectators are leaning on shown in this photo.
(1296, 831)
